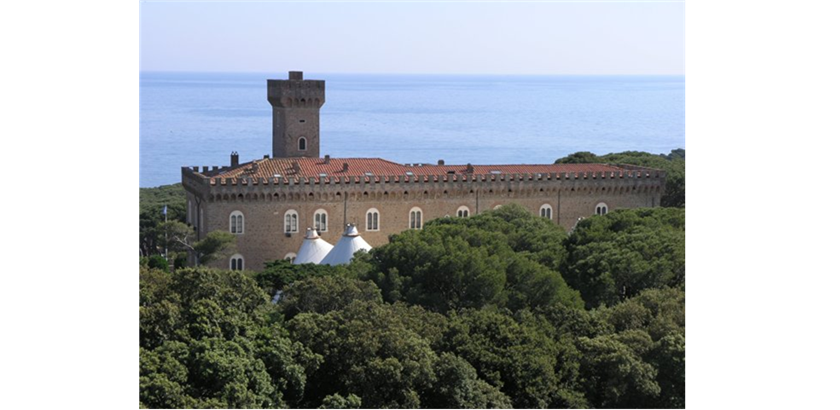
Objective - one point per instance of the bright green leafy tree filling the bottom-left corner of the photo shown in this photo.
(206, 342)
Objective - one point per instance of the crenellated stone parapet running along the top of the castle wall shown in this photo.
(399, 187)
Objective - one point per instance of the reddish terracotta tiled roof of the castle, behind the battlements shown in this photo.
(361, 167)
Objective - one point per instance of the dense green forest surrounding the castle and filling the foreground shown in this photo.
(503, 310)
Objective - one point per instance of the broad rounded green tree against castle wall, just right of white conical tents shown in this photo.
(492, 258)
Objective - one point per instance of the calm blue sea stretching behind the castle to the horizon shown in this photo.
(199, 118)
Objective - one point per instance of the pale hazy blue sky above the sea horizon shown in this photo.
(415, 37)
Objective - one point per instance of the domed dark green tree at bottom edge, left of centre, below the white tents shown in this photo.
(368, 351)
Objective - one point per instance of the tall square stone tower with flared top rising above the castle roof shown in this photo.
(296, 106)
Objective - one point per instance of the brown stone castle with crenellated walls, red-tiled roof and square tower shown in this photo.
(269, 203)
